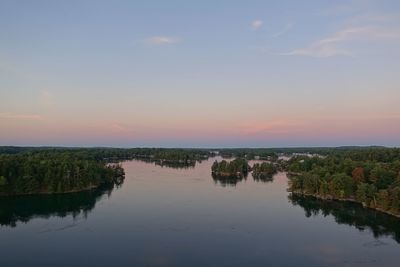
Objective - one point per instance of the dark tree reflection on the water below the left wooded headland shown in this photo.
(25, 208)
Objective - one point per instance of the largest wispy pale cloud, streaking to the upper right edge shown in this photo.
(334, 45)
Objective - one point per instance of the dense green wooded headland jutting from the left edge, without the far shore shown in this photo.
(51, 171)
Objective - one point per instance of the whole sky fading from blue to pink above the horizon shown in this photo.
(200, 73)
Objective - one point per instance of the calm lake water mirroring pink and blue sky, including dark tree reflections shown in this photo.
(182, 217)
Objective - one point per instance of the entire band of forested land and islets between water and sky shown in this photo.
(370, 176)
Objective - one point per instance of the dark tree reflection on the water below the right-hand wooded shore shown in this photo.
(352, 214)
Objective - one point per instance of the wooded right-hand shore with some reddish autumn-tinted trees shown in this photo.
(367, 176)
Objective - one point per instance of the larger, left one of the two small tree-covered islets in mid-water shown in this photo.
(237, 167)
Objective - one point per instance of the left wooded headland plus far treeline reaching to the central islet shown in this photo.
(56, 170)
